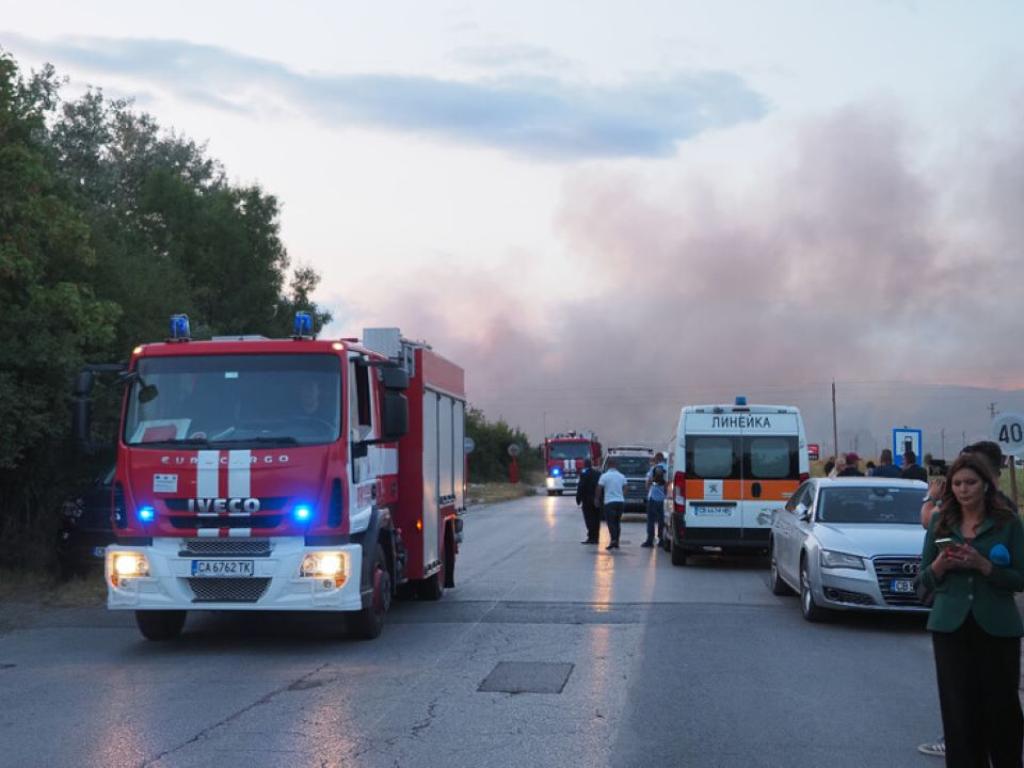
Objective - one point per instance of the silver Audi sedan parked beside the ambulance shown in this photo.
(849, 544)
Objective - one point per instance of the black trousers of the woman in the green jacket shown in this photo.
(979, 675)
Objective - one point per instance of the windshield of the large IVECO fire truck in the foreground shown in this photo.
(241, 400)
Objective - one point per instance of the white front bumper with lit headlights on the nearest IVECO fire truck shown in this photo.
(288, 576)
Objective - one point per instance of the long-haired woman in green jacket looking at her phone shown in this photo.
(974, 563)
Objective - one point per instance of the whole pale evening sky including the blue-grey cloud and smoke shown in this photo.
(607, 210)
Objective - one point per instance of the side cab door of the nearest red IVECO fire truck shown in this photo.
(362, 426)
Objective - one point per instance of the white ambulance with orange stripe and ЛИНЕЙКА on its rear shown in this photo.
(732, 467)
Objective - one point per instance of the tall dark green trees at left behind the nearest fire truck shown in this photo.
(108, 226)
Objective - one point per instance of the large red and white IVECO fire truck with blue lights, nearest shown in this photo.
(283, 475)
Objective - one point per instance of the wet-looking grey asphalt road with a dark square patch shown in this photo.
(547, 654)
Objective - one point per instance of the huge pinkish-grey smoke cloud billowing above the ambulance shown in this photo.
(848, 259)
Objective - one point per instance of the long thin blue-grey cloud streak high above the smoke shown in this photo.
(538, 117)
